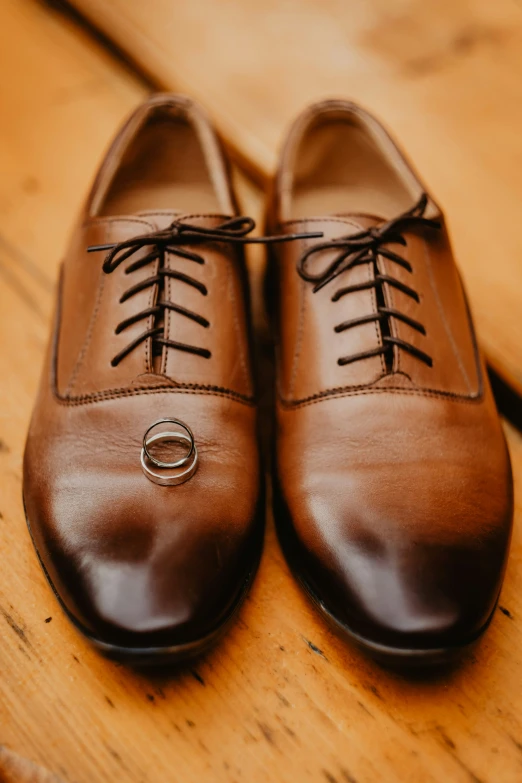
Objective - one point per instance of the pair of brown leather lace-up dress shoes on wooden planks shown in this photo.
(142, 479)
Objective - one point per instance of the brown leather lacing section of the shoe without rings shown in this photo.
(309, 353)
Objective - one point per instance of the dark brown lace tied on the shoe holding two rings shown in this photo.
(174, 239)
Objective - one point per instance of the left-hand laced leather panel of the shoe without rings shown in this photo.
(310, 347)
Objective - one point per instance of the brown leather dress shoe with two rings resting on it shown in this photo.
(150, 544)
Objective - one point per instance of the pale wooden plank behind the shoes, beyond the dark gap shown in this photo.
(444, 75)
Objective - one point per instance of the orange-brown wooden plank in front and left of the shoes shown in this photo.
(281, 698)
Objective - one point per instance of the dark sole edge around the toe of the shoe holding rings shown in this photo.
(162, 654)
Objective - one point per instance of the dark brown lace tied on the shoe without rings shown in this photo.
(364, 247)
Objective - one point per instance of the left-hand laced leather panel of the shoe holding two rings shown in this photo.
(91, 311)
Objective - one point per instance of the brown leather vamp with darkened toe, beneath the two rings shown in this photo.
(108, 535)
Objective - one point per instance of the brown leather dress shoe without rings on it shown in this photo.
(393, 490)
